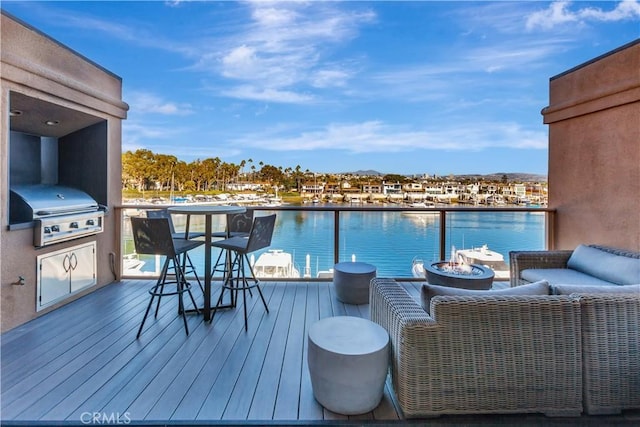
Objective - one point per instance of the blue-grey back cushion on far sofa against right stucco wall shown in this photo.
(618, 269)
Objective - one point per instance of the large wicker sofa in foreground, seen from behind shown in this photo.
(506, 354)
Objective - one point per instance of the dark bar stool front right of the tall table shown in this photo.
(239, 248)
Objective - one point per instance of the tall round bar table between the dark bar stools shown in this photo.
(208, 211)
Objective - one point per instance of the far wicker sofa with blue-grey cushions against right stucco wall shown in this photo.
(584, 265)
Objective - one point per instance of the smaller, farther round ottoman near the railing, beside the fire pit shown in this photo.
(351, 281)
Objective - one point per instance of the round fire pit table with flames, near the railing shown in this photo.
(459, 275)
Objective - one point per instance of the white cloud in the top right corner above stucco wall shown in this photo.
(559, 13)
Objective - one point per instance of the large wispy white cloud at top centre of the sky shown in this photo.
(281, 51)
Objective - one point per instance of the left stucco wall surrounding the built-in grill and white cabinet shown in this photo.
(39, 67)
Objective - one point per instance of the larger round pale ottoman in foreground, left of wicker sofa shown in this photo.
(348, 360)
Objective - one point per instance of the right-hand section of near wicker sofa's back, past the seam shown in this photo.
(611, 352)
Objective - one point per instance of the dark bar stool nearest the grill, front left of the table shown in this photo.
(152, 236)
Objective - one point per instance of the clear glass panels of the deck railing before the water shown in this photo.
(392, 240)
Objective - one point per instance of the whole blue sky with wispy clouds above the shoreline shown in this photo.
(436, 87)
